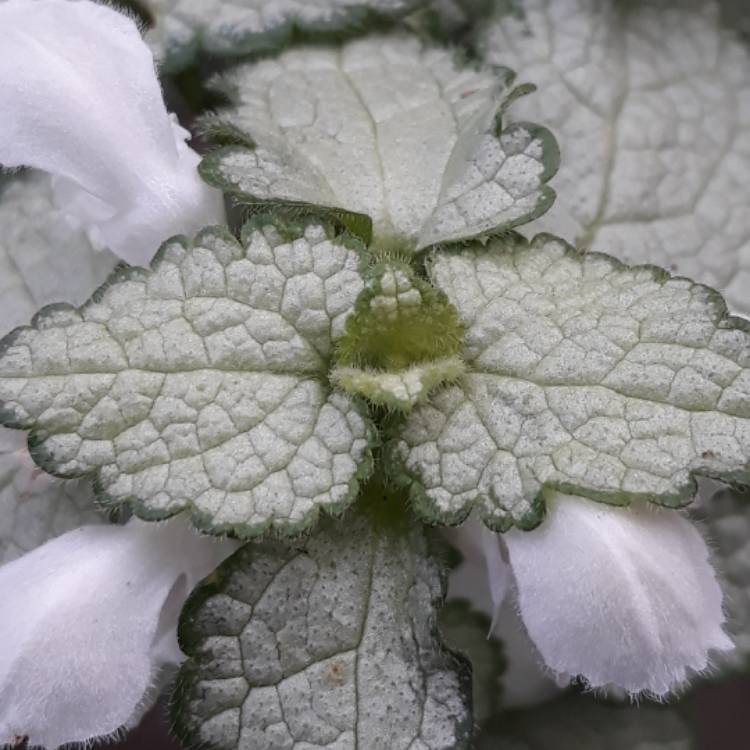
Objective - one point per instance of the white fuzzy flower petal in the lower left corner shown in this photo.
(87, 620)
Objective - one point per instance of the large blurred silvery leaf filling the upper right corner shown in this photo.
(651, 104)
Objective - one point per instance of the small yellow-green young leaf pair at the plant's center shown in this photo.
(401, 340)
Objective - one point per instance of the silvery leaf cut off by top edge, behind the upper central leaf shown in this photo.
(233, 28)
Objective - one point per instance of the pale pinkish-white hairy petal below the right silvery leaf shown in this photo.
(623, 597)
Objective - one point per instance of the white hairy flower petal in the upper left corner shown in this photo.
(81, 100)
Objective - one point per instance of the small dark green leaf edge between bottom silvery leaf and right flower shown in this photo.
(468, 631)
